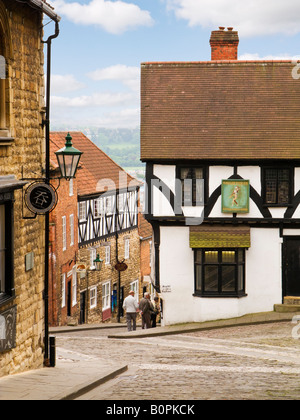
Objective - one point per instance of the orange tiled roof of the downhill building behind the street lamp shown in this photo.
(95, 165)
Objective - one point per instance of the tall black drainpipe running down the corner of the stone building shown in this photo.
(46, 123)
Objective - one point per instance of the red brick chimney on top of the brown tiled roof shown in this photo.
(224, 44)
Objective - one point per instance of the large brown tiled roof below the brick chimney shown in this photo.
(220, 110)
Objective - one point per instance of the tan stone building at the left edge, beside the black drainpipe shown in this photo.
(22, 142)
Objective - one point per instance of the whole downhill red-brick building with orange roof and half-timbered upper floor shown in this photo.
(106, 224)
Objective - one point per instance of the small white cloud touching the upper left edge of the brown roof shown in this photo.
(129, 76)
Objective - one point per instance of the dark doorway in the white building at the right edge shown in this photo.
(291, 266)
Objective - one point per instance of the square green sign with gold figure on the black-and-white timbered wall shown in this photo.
(235, 196)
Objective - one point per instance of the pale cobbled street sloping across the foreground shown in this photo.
(260, 362)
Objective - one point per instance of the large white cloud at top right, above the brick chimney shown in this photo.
(250, 18)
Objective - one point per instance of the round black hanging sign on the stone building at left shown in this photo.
(40, 198)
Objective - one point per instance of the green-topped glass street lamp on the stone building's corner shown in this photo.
(68, 159)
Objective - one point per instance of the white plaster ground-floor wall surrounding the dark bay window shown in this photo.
(263, 279)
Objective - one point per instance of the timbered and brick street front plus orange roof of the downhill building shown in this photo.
(107, 214)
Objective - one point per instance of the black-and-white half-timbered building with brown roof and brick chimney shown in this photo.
(221, 143)
